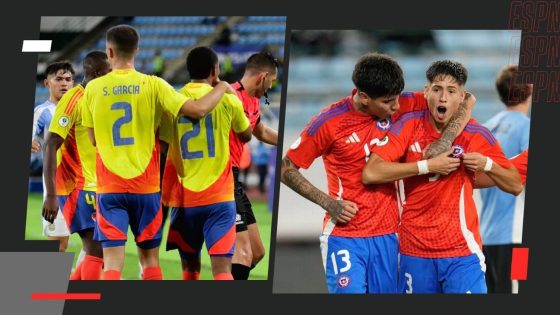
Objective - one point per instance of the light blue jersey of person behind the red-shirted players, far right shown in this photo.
(501, 217)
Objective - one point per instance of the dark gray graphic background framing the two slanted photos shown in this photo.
(21, 22)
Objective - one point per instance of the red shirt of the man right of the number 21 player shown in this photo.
(252, 108)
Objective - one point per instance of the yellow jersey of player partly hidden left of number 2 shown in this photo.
(75, 163)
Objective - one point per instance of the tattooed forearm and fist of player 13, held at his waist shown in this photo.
(341, 211)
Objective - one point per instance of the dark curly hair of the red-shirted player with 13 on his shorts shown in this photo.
(378, 75)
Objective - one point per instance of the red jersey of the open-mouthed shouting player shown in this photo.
(439, 216)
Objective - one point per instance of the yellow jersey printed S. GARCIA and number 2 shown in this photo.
(124, 108)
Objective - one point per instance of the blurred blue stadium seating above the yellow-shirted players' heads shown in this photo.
(174, 35)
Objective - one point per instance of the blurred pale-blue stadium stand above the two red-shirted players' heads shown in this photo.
(483, 52)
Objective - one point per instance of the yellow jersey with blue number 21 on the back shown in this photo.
(200, 169)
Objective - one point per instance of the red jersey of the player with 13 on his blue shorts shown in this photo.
(343, 136)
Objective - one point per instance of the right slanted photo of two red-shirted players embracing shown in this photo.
(404, 162)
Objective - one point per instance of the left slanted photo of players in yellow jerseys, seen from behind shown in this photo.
(154, 145)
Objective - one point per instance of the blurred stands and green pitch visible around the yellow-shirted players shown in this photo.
(234, 38)
